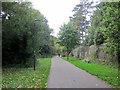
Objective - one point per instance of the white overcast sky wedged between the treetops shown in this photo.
(57, 12)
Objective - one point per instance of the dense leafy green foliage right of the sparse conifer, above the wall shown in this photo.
(105, 26)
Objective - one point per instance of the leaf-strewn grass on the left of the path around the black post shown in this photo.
(27, 77)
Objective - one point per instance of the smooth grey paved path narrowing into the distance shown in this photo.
(65, 75)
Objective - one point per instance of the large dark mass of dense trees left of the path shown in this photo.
(22, 34)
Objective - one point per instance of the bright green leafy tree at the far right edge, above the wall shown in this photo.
(110, 24)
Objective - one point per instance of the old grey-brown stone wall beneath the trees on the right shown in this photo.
(94, 51)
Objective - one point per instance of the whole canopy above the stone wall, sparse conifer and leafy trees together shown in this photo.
(101, 28)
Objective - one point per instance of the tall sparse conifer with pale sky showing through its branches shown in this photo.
(79, 19)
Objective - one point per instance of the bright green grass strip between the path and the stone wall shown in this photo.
(110, 75)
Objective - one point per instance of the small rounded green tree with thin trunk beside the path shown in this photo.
(68, 37)
